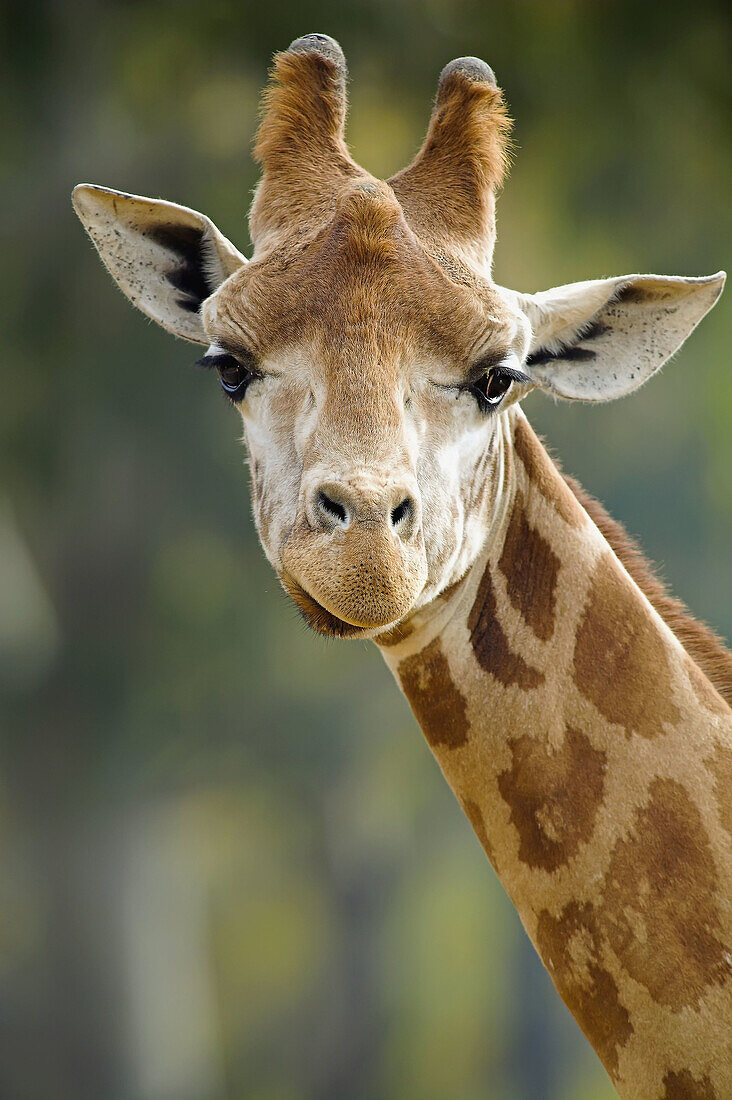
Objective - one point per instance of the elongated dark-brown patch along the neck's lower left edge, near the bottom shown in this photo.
(572, 952)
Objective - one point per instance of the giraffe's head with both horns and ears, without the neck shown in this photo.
(368, 350)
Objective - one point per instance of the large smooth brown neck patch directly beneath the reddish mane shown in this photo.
(621, 664)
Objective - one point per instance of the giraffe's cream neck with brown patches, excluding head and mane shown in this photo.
(594, 761)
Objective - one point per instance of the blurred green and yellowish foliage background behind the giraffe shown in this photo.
(230, 867)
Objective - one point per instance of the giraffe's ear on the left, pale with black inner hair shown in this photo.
(166, 258)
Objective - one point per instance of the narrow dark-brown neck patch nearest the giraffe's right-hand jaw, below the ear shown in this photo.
(531, 569)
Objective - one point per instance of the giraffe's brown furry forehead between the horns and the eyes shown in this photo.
(364, 282)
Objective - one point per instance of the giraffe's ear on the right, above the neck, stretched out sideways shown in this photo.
(600, 340)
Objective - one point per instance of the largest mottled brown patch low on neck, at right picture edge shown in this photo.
(660, 915)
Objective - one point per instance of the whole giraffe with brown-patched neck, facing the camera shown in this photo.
(580, 714)
